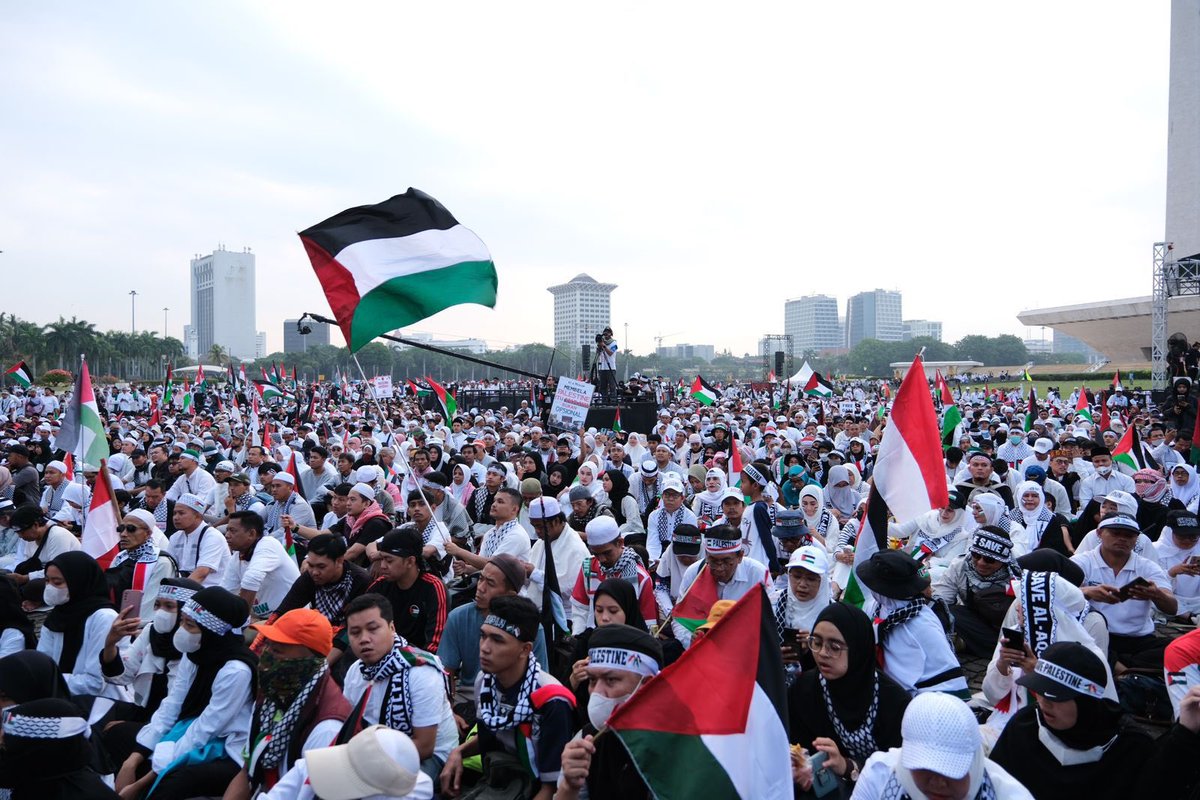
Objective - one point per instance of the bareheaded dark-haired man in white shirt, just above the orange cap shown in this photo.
(261, 572)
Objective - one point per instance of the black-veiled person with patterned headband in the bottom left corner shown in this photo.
(47, 755)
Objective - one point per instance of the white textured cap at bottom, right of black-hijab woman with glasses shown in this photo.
(940, 735)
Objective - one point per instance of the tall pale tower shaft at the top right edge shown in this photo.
(1184, 131)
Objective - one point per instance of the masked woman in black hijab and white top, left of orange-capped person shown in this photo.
(195, 742)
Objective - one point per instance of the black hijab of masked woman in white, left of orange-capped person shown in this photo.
(217, 649)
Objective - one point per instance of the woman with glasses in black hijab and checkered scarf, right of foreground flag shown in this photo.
(847, 707)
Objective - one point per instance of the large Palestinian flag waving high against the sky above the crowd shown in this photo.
(389, 266)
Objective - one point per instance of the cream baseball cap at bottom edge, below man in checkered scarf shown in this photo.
(377, 762)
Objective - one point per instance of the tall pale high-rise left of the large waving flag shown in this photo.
(224, 303)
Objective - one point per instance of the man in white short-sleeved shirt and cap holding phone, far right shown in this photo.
(1126, 588)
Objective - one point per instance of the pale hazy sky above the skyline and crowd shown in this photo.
(712, 160)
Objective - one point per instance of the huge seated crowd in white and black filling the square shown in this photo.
(346, 598)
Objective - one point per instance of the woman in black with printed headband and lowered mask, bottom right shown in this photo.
(1073, 742)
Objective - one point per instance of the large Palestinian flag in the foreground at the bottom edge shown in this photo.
(729, 744)
